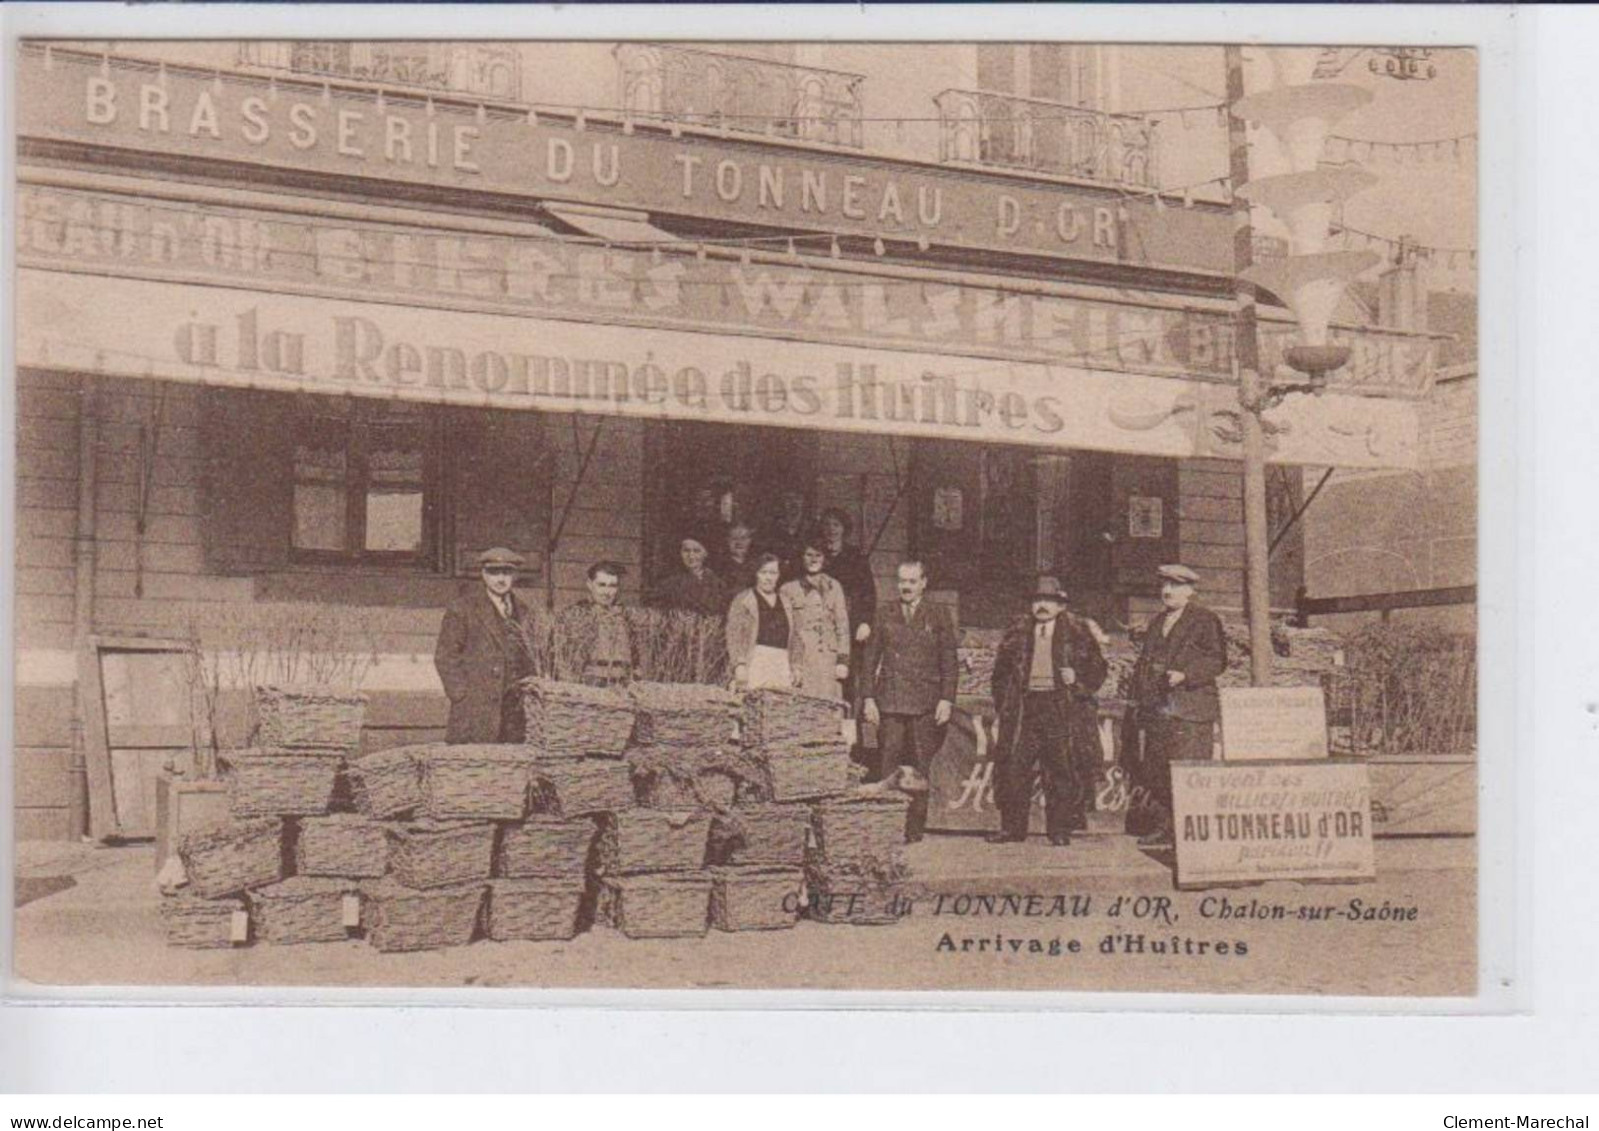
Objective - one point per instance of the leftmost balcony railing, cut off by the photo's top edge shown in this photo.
(487, 70)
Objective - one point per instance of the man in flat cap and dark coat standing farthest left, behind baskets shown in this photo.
(484, 650)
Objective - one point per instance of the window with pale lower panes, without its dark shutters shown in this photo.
(364, 482)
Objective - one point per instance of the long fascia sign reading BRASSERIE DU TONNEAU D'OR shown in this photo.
(309, 127)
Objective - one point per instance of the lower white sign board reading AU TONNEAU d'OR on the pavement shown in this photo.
(1272, 821)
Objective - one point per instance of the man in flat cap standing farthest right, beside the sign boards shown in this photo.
(1174, 690)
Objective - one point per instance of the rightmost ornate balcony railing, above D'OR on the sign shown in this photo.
(1042, 137)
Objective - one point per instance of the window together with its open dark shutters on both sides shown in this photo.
(322, 482)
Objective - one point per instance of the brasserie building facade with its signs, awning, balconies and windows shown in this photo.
(321, 324)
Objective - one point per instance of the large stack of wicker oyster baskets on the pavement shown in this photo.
(429, 847)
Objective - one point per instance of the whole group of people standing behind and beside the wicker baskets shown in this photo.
(826, 634)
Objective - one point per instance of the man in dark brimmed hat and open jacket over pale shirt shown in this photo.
(1047, 674)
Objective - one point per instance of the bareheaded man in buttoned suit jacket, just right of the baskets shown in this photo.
(909, 677)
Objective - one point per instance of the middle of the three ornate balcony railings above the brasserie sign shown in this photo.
(735, 94)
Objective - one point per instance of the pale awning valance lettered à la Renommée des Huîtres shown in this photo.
(373, 350)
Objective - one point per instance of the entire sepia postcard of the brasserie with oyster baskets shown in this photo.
(764, 516)
